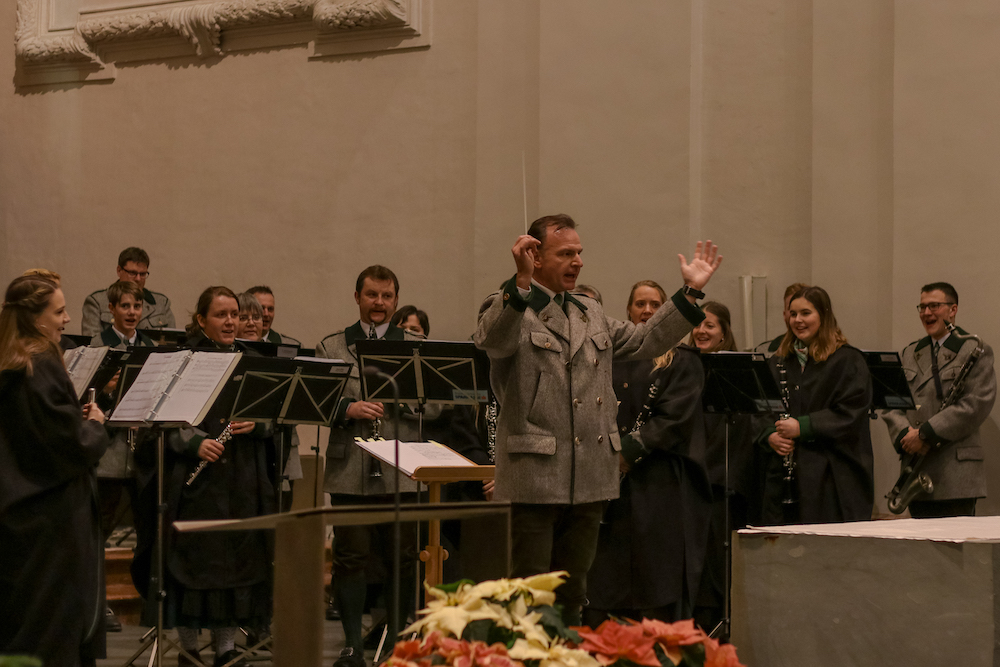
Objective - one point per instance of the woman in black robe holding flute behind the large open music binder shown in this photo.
(219, 580)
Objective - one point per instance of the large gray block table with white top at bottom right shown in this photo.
(900, 592)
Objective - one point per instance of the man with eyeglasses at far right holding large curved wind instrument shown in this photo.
(948, 437)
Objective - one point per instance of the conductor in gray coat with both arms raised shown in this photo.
(557, 446)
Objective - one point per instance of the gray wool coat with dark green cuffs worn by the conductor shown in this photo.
(557, 440)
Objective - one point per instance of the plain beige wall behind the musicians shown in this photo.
(849, 143)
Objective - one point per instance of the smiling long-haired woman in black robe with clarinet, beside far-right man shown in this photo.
(829, 395)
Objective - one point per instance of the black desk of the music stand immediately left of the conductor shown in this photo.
(444, 372)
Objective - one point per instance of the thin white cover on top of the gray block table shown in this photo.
(952, 529)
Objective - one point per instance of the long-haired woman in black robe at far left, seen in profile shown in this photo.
(51, 552)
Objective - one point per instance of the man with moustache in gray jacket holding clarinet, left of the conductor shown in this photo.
(352, 476)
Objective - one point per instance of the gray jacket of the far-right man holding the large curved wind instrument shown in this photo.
(956, 467)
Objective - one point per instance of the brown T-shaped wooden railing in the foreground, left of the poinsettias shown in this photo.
(298, 562)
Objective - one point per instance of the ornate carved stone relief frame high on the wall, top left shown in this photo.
(200, 29)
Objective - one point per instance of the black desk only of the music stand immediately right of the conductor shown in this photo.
(739, 383)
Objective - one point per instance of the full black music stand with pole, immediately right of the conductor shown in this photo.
(736, 383)
